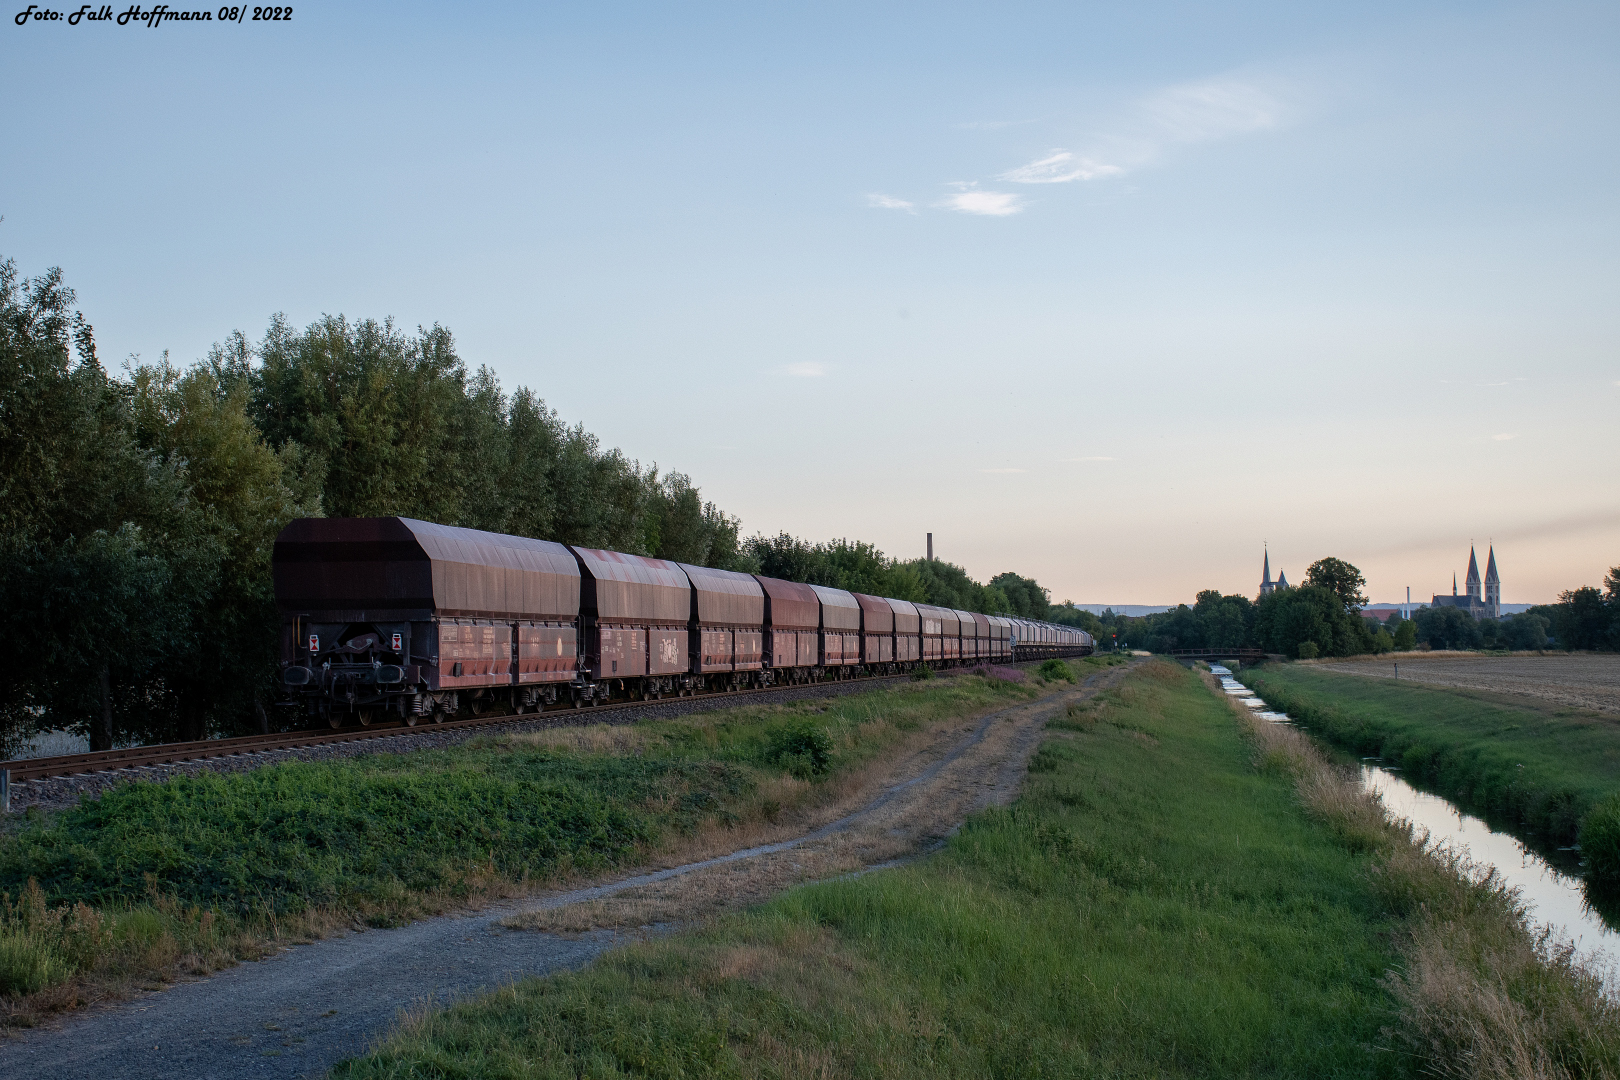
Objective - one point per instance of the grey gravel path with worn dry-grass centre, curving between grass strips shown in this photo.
(310, 1006)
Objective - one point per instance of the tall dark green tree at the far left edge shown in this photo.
(101, 538)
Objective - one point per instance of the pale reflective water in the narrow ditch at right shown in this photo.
(1556, 896)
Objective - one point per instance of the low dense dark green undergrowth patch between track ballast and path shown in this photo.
(292, 836)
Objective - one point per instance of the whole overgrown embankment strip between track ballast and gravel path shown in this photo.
(185, 877)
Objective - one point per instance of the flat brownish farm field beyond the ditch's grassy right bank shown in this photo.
(1572, 681)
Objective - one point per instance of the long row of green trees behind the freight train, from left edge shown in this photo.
(139, 511)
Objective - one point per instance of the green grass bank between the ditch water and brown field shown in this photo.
(1540, 768)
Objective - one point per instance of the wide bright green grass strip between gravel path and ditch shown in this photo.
(1153, 906)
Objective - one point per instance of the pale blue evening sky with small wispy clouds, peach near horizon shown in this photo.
(1112, 296)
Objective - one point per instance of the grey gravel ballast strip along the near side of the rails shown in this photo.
(66, 791)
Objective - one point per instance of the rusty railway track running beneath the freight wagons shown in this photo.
(173, 754)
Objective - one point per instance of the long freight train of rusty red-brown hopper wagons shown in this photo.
(393, 618)
